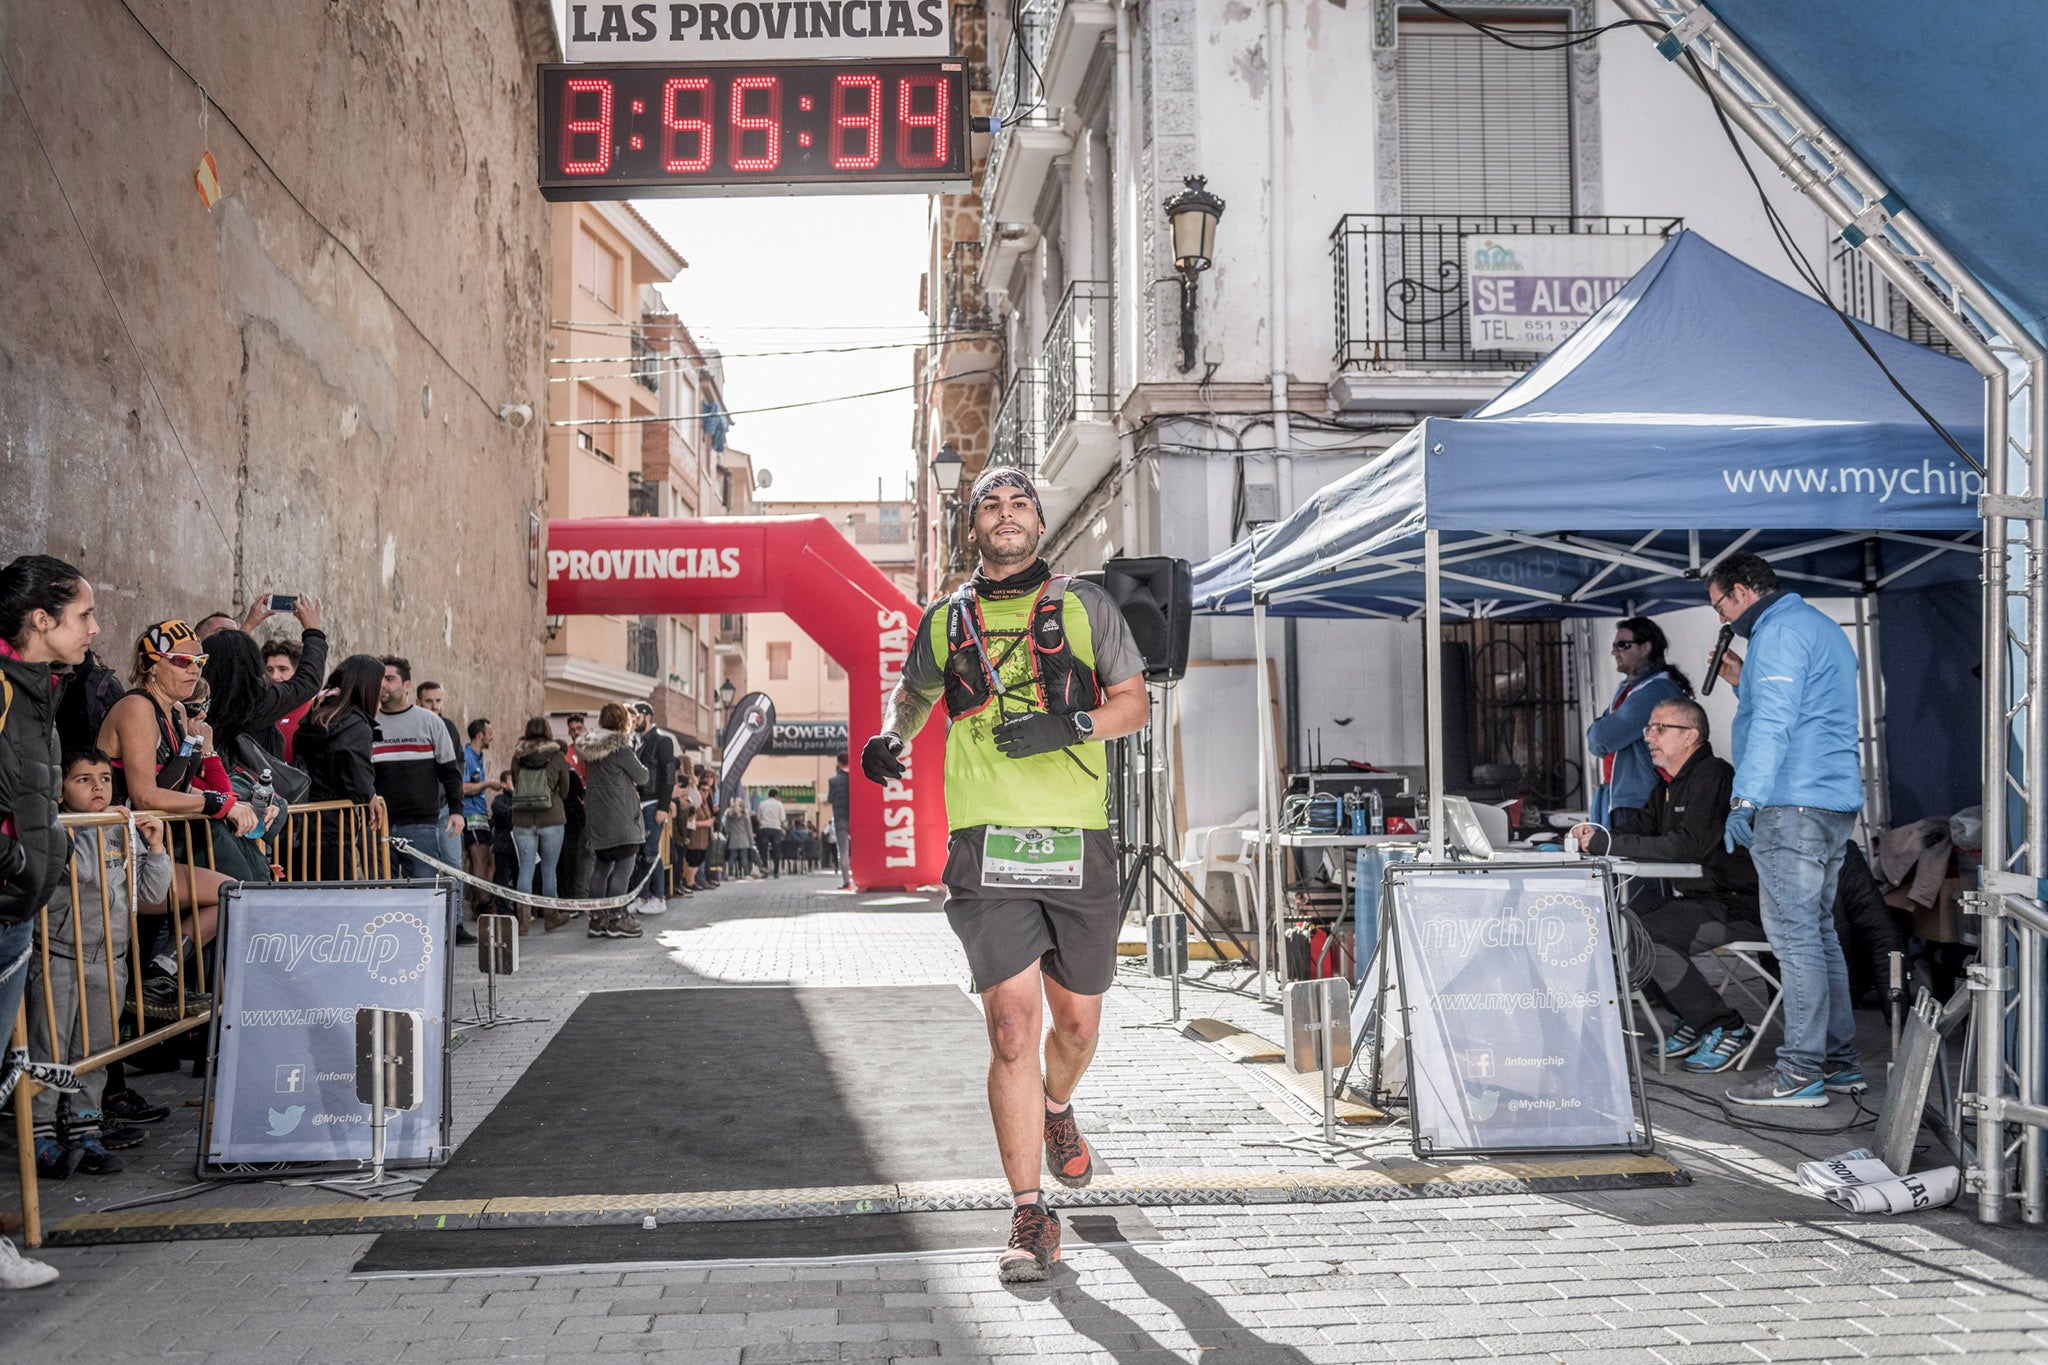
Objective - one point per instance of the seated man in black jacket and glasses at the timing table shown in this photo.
(1682, 822)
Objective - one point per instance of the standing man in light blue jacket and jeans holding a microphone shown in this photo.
(1797, 793)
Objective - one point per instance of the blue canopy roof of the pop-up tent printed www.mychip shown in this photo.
(1705, 408)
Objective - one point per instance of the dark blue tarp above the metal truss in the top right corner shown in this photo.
(1945, 103)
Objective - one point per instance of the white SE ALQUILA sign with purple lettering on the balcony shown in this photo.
(1533, 292)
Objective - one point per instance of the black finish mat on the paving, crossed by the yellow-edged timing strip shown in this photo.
(730, 1090)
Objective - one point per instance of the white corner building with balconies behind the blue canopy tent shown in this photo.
(1355, 148)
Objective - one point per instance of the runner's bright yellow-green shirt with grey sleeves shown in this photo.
(1048, 789)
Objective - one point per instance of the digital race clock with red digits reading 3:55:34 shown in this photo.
(787, 128)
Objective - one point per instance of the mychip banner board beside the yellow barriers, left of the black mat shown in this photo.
(298, 963)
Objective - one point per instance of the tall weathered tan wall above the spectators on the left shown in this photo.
(298, 388)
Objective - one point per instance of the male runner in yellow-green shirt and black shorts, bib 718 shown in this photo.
(1037, 670)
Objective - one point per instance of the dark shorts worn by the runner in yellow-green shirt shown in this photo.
(1070, 932)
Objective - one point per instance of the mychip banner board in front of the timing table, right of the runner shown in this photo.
(1517, 1026)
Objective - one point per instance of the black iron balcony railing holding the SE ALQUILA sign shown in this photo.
(1400, 283)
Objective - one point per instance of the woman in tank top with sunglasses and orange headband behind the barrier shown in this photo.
(167, 764)
